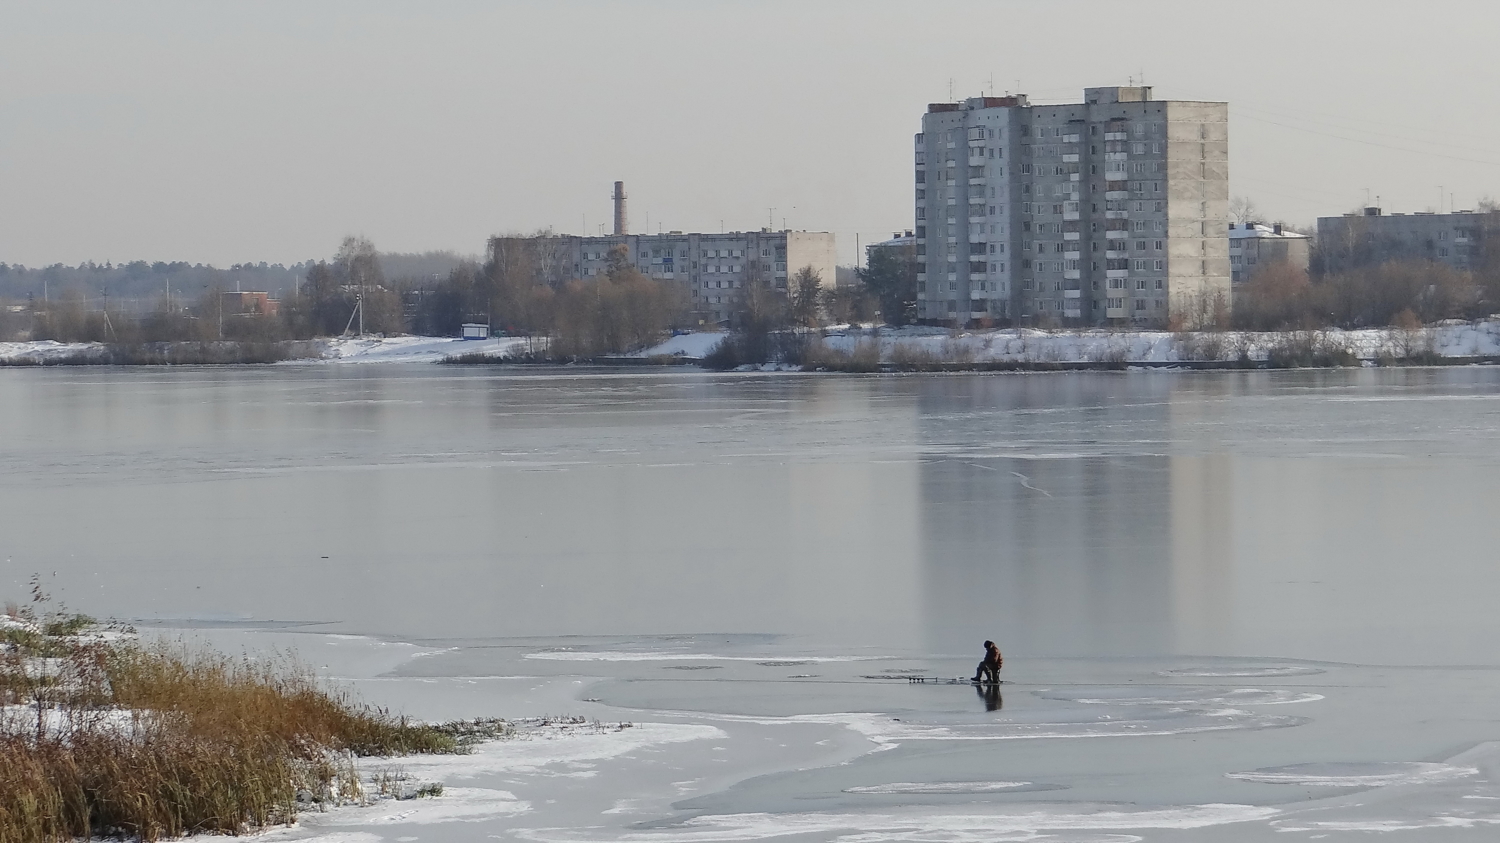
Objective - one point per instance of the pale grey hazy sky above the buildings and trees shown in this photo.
(227, 133)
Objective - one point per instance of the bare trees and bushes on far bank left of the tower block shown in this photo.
(524, 286)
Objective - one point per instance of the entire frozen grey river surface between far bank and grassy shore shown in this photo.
(1234, 605)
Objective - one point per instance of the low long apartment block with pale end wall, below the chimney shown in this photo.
(716, 268)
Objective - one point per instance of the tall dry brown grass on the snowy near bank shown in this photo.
(113, 737)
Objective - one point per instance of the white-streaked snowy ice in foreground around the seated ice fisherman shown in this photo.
(668, 761)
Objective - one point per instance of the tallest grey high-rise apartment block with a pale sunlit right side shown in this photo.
(1105, 212)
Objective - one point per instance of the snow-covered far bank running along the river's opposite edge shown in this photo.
(848, 350)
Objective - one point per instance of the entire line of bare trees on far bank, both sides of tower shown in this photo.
(527, 286)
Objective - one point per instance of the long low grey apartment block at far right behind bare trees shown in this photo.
(1375, 238)
